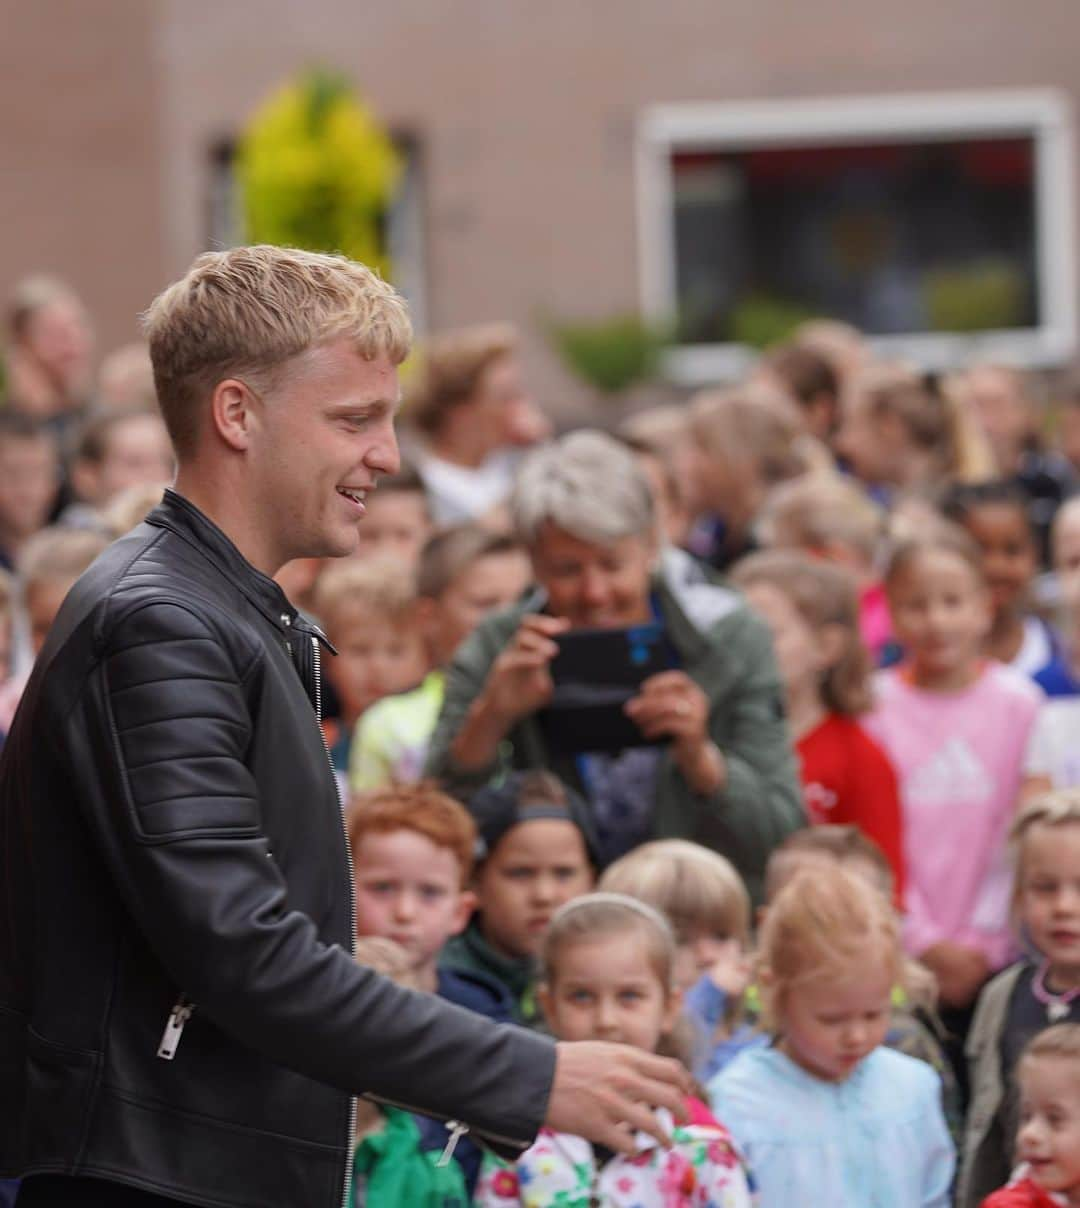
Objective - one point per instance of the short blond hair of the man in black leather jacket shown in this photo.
(248, 311)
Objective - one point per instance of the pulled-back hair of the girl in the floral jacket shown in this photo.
(603, 916)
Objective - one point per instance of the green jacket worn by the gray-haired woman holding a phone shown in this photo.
(728, 652)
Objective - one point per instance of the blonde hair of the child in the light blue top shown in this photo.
(823, 922)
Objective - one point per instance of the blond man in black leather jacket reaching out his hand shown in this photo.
(181, 1017)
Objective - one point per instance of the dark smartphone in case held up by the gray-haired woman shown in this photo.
(595, 673)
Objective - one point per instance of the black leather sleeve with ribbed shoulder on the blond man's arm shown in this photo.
(165, 724)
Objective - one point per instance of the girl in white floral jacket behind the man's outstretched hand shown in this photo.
(608, 975)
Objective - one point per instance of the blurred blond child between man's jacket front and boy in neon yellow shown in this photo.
(369, 611)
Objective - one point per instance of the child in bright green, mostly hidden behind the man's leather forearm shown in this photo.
(392, 1166)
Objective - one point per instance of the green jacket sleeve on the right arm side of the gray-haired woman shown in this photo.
(760, 803)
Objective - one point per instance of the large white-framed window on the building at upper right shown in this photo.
(942, 226)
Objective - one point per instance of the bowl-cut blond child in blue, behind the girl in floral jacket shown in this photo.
(701, 896)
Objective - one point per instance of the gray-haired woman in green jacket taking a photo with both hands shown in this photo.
(715, 763)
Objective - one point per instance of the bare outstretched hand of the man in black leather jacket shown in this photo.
(607, 1094)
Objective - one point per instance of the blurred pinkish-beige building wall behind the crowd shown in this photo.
(524, 117)
